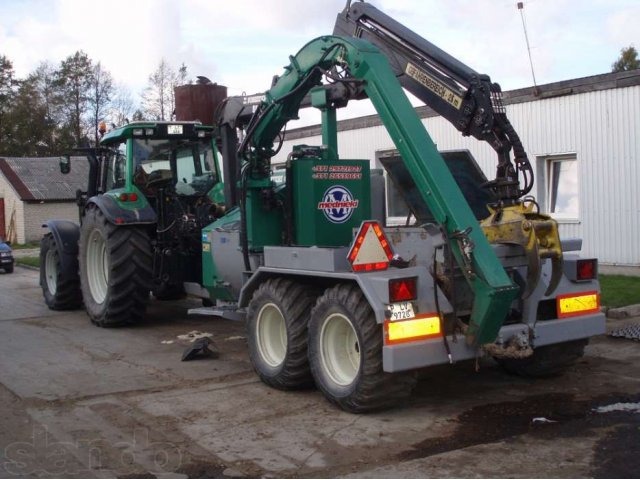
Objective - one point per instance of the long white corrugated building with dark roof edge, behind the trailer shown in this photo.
(582, 137)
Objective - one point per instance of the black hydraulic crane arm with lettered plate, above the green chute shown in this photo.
(467, 99)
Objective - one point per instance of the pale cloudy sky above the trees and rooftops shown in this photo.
(243, 43)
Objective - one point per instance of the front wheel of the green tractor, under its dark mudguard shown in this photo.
(61, 290)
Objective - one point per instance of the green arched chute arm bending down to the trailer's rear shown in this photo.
(365, 68)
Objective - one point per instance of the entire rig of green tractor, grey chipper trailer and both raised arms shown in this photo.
(329, 294)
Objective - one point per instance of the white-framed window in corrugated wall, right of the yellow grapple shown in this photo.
(562, 189)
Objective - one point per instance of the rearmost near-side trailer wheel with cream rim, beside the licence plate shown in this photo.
(345, 353)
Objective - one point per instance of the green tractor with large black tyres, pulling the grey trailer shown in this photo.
(152, 187)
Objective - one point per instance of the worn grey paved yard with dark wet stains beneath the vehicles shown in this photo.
(80, 401)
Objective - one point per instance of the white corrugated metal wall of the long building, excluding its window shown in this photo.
(600, 128)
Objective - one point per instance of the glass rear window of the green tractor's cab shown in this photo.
(189, 166)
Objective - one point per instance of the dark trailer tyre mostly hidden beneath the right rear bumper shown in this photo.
(545, 361)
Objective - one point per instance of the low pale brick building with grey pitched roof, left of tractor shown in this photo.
(32, 191)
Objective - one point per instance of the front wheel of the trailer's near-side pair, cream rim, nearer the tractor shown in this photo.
(277, 333)
